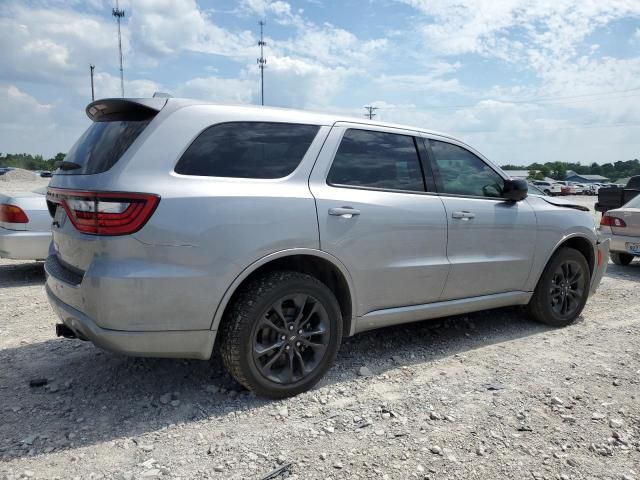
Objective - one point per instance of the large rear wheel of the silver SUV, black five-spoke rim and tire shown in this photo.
(281, 334)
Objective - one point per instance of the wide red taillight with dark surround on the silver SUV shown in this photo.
(105, 213)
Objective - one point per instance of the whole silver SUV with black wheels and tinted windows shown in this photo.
(179, 226)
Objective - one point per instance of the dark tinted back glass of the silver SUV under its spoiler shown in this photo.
(102, 145)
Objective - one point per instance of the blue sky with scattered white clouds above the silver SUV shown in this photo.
(520, 80)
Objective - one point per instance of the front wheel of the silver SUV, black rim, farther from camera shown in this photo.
(562, 290)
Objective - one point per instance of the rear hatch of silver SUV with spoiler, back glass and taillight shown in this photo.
(86, 213)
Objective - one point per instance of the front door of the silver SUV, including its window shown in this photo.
(491, 242)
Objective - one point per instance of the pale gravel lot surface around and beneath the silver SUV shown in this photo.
(483, 396)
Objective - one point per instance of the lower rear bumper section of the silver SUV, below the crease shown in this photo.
(170, 344)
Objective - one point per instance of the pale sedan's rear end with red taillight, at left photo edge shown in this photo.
(25, 225)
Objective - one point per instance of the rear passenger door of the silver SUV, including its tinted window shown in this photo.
(377, 215)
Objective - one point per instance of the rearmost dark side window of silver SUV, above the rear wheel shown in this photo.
(247, 150)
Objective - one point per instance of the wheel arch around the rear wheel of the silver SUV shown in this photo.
(323, 266)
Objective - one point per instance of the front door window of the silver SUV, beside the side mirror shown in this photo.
(461, 172)
